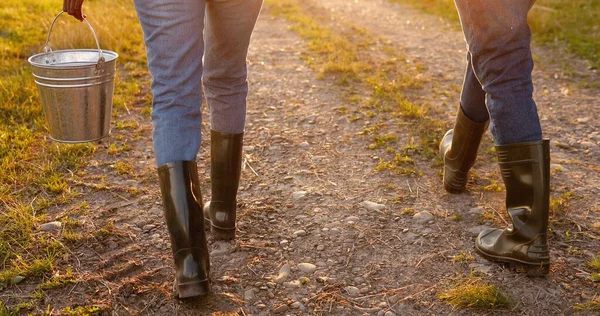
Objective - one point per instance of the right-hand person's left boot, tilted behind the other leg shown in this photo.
(458, 150)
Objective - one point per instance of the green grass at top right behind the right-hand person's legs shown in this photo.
(574, 22)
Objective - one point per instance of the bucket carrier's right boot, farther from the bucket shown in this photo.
(225, 171)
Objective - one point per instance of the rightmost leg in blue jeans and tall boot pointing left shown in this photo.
(498, 39)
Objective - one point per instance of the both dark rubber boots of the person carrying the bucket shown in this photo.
(184, 214)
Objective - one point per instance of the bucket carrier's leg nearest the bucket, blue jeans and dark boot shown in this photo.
(173, 36)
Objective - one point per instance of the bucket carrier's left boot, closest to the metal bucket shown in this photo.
(182, 204)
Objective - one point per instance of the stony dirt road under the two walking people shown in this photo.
(322, 229)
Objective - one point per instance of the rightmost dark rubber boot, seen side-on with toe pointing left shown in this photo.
(525, 170)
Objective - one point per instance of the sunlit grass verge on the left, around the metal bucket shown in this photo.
(36, 172)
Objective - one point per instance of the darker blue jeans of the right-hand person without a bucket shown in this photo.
(498, 81)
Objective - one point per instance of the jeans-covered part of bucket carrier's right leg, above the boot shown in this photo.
(229, 25)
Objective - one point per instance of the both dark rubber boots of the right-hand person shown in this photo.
(525, 169)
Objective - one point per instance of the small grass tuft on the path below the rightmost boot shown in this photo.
(473, 292)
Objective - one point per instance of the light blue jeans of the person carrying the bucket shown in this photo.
(179, 34)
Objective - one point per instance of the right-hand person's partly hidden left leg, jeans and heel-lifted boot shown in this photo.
(458, 148)
